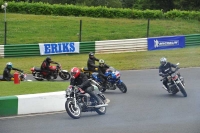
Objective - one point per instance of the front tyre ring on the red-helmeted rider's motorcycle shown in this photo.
(69, 110)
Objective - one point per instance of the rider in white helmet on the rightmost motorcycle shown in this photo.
(164, 69)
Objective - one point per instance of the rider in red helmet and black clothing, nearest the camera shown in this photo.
(80, 79)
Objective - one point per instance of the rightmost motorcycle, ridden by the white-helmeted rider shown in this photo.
(175, 82)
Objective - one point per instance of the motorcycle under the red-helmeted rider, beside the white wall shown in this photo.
(77, 103)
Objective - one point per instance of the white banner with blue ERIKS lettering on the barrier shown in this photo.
(59, 48)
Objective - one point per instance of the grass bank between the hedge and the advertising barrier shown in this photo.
(31, 29)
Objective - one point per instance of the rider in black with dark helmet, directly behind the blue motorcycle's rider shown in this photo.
(91, 62)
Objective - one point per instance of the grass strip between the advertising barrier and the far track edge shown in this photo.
(188, 57)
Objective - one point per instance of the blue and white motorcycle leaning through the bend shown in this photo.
(113, 80)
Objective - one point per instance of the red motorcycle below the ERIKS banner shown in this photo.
(55, 71)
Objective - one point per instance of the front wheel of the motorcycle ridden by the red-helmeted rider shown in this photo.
(74, 112)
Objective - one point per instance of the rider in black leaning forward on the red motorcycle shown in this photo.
(45, 66)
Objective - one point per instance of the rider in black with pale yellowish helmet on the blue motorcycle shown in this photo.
(102, 70)
